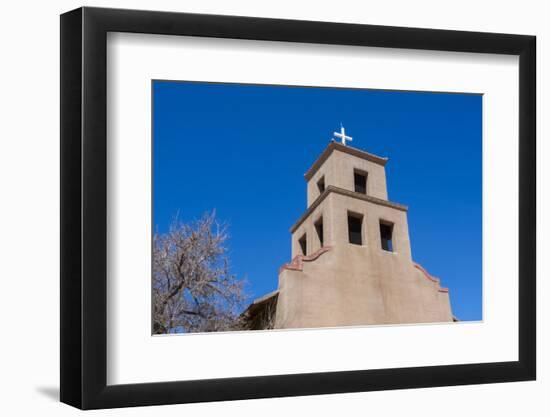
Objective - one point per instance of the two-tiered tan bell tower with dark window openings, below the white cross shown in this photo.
(346, 196)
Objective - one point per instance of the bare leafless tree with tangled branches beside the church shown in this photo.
(193, 288)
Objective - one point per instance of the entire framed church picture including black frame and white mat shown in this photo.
(259, 208)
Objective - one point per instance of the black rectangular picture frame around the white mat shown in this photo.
(84, 207)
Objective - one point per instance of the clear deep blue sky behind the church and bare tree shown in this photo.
(243, 150)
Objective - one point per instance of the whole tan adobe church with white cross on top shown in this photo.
(351, 254)
